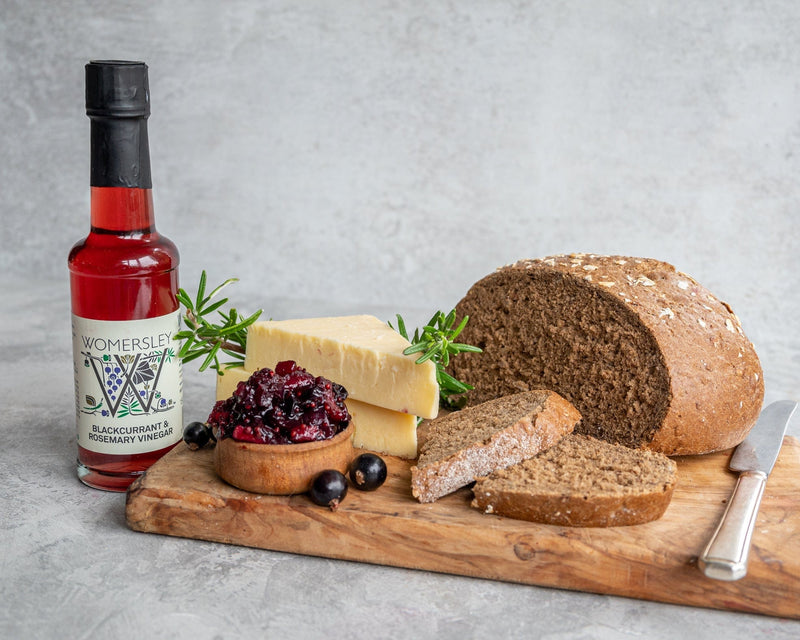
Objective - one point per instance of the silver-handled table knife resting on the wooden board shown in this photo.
(725, 557)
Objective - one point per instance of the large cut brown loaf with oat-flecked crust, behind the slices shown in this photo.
(648, 356)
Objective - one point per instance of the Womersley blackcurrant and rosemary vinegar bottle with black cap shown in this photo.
(123, 283)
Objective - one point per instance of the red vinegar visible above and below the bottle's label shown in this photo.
(123, 270)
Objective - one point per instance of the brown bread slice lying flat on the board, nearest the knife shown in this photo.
(581, 482)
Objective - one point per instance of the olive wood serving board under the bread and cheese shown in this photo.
(182, 496)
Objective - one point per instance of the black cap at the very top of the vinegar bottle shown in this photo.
(117, 89)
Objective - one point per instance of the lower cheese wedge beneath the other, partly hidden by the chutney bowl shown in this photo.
(376, 429)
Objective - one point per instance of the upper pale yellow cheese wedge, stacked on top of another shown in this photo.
(360, 352)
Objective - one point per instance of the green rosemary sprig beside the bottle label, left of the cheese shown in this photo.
(204, 338)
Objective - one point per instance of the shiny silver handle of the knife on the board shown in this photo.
(725, 557)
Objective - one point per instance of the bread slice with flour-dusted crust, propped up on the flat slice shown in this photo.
(476, 441)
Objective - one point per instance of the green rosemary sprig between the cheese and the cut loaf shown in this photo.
(436, 342)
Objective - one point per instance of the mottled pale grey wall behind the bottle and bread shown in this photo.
(393, 153)
